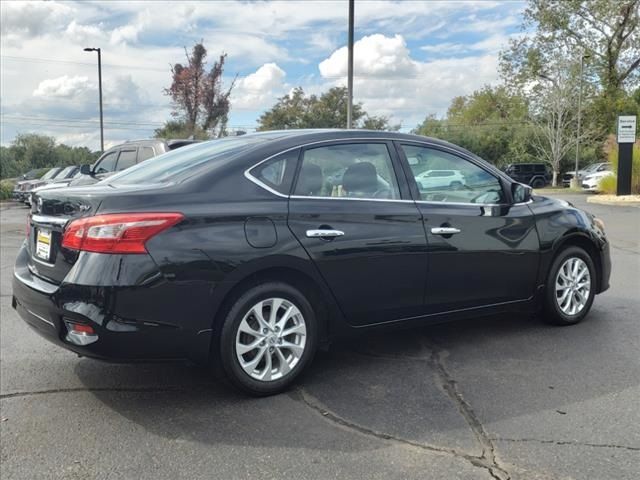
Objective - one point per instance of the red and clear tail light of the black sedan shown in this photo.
(117, 232)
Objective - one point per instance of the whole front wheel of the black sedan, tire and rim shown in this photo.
(571, 287)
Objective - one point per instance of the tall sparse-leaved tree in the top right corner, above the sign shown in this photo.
(607, 31)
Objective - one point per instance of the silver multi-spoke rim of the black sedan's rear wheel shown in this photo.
(271, 339)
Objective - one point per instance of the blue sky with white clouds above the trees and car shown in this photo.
(411, 58)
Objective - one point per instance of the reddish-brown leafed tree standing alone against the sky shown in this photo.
(199, 100)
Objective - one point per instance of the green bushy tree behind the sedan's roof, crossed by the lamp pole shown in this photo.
(296, 110)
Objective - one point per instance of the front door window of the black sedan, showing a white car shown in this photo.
(444, 177)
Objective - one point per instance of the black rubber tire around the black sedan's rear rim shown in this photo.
(227, 338)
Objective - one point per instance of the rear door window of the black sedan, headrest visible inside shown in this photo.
(359, 170)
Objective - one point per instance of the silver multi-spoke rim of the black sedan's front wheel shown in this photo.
(573, 286)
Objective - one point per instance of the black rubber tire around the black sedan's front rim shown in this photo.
(552, 312)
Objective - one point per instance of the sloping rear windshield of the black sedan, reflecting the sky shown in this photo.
(181, 163)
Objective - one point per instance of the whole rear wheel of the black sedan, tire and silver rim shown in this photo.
(268, 337)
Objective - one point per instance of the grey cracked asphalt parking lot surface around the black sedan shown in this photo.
(498, 397)
